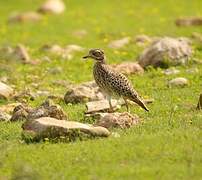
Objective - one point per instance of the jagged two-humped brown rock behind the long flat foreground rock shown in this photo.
(46, 109)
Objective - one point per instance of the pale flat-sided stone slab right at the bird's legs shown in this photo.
(101, 106)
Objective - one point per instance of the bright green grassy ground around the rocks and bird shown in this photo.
(167, 145)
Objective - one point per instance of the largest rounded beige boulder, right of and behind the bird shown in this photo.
(166, 51)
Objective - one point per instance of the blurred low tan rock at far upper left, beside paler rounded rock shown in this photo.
(30, 16)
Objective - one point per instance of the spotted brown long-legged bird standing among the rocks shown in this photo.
(111, 82)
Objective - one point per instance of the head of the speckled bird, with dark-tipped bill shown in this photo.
(96, 54)
